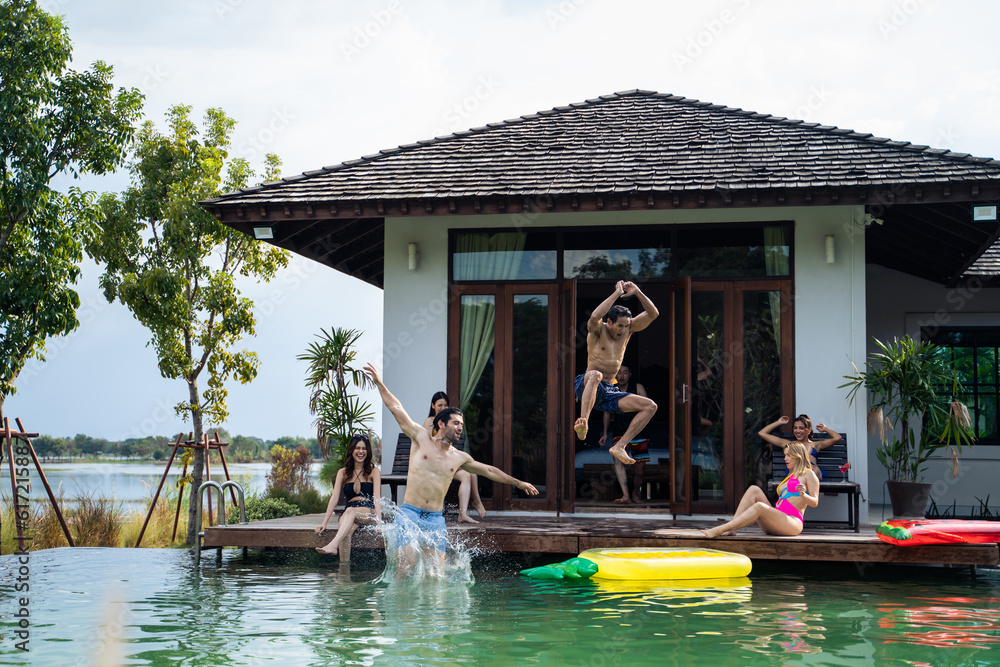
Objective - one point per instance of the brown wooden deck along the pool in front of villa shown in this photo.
(571, 534)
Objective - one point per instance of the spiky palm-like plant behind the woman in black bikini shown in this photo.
(331, 376)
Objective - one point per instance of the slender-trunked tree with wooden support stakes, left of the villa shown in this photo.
(175, 267)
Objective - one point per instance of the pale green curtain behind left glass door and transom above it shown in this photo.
(482, 257)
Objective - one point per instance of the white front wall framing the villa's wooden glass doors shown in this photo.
(829, 306)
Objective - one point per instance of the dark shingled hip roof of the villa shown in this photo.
(629, 142)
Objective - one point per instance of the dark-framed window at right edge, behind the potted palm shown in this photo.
(974, 352)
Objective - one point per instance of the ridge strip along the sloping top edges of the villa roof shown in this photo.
(607, 99)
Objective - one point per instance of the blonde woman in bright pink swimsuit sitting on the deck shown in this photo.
(799, 489)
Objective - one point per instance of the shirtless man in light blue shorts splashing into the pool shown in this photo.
(433, 463)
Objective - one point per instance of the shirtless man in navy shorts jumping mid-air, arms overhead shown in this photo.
(606, 341)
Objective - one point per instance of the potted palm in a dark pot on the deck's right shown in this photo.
(910, 384)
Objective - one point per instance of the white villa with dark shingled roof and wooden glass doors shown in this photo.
(774, 249)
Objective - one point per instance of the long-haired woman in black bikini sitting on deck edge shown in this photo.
(361, 483)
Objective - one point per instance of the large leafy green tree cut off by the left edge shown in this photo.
(55, 121)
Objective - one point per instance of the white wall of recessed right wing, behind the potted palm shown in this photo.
(900, 304)
